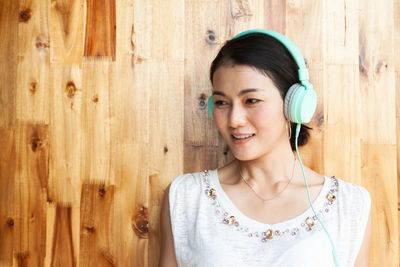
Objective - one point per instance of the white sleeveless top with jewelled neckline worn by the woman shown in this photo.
(208, 230)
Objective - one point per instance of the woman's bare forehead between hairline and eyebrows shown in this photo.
(236, 78)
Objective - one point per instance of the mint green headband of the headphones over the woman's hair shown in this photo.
(290, 46)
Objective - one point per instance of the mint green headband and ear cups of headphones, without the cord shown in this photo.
(301, 99)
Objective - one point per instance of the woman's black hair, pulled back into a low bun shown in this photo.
(268, 56)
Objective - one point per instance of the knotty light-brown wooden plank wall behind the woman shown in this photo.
(103, 103)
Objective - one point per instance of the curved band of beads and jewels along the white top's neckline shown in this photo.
(306, 222)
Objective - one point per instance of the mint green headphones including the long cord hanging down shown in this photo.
(299, 107)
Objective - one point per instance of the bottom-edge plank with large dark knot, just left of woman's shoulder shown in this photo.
(130, 168)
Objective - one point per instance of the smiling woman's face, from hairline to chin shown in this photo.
(248, 111)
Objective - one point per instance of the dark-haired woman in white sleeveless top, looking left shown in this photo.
(254, 211)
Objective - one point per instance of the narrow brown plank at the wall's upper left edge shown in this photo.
(8, 61)
